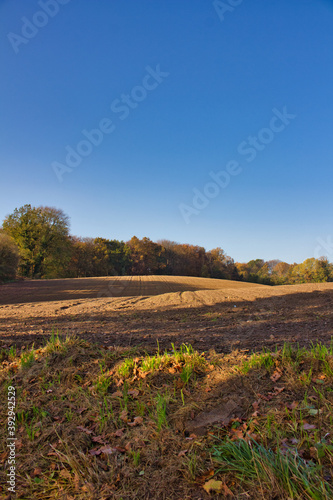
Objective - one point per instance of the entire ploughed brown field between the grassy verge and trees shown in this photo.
(142, 310)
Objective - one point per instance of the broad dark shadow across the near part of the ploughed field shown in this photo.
(296, 318)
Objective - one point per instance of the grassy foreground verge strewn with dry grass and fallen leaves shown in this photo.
(100, 423)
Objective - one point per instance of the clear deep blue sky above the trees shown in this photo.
(226, 73)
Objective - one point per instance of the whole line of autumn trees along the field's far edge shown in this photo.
(35, 243)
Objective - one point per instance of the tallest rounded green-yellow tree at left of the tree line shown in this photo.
(41, 234)
